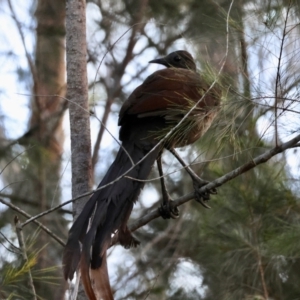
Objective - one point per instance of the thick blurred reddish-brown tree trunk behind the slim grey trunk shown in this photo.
(47, 112)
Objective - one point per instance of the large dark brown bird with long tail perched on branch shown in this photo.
(172, 108)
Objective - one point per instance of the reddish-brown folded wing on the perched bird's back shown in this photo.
(164, 90)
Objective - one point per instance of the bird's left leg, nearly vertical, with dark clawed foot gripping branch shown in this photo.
(166, 210)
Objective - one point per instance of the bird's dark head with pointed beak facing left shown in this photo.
(178, 59)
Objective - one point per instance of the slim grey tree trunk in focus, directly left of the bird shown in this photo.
(77, 93)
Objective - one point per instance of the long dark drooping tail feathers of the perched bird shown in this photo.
(111, 206)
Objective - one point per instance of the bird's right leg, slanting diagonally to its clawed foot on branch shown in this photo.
(198, 182)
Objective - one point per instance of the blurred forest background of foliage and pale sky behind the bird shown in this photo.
(247, 245)
